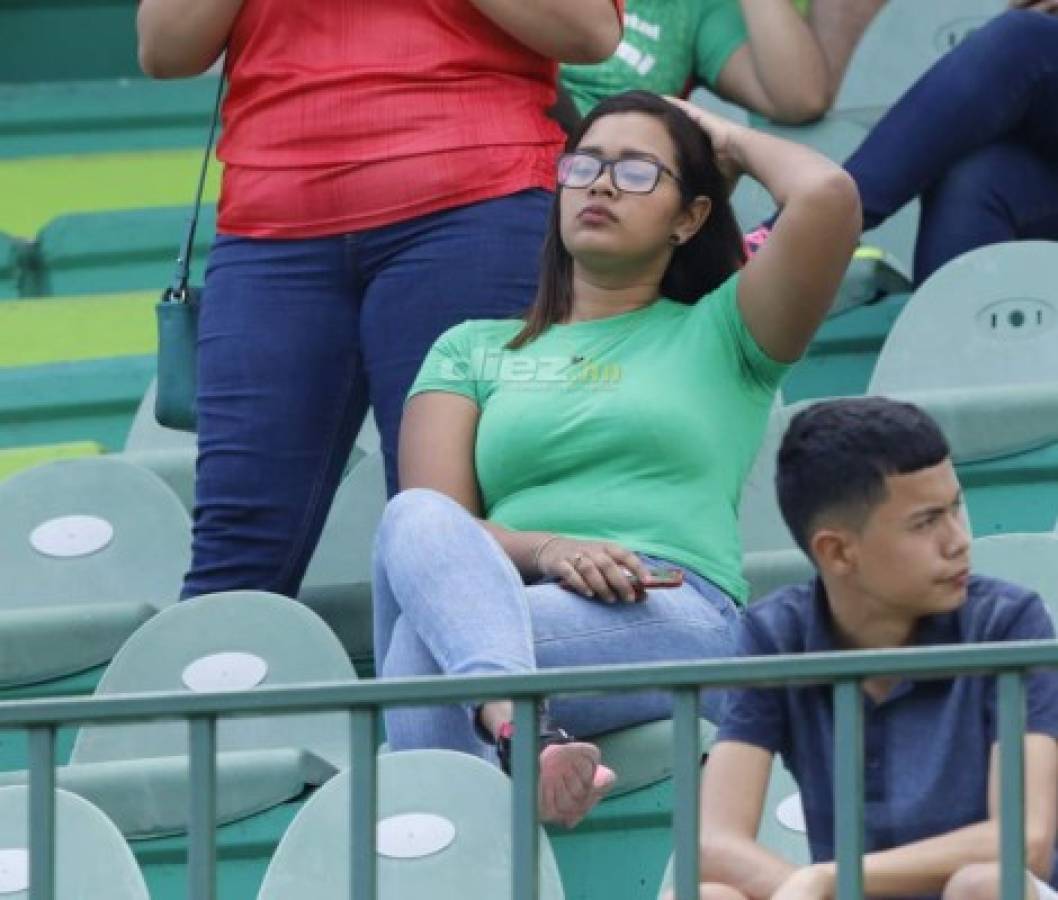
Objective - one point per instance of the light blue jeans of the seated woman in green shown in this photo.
(448, 600)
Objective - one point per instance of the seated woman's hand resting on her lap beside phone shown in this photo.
(595, 570)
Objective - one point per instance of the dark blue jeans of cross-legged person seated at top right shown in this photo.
(977, 139)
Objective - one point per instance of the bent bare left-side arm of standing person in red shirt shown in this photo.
(179, 39)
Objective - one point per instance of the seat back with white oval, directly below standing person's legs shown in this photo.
(239, 640)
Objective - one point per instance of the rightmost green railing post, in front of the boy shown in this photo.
(1012, 762)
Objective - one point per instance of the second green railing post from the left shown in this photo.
(202, 841)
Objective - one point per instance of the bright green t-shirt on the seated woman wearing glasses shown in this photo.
(640, 429)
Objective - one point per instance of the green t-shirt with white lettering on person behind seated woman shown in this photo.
(667, 45)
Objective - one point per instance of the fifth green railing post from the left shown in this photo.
(687, 755)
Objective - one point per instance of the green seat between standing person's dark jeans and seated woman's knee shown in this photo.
(338, 583)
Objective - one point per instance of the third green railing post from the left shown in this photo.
(364, 804)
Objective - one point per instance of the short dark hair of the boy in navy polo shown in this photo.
(836, 456)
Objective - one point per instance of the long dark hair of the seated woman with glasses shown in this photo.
(698, 267)
